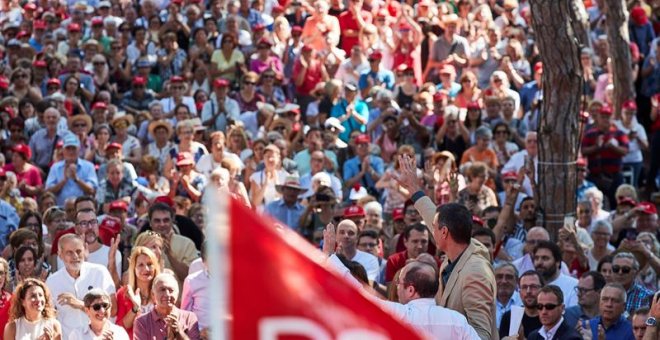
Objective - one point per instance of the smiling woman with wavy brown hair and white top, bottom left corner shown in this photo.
(32, 313)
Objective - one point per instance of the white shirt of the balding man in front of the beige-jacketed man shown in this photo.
(435, 321)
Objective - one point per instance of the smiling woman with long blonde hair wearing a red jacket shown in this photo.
(133, 298)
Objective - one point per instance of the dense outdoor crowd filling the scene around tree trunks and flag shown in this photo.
(400, 137)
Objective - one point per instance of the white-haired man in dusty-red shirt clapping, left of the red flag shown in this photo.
(166, 320)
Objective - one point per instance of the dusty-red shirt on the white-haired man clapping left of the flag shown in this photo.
(152, 326)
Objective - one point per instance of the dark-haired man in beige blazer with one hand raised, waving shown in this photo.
(467, 281)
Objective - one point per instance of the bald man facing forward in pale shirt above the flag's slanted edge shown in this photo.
(347, 238)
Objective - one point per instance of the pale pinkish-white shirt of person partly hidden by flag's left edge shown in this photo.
(195, 297)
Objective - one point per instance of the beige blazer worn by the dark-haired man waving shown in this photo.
(471, 288)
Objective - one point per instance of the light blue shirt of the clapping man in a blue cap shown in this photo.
(86, 173)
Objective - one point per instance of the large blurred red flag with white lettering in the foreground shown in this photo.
(279, 289)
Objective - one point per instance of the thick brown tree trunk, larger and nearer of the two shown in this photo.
(558, 141)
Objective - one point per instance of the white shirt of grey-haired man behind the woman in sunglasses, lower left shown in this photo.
(91, 276)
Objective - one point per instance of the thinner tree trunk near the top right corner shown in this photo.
(616, 22)
